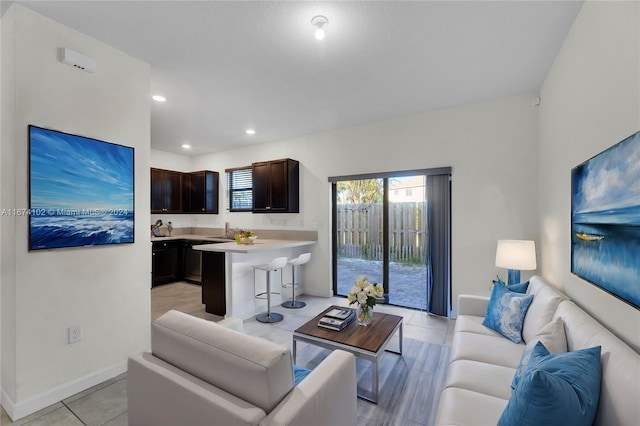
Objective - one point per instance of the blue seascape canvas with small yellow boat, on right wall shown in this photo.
(605, 220)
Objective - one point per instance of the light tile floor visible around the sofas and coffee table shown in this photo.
(106, 403)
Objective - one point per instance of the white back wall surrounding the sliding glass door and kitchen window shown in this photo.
(491, 146)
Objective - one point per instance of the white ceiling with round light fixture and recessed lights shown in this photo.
(228, 66)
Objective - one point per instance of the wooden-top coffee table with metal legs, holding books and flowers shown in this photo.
(364, 342)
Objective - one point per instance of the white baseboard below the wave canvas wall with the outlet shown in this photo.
(22, 409)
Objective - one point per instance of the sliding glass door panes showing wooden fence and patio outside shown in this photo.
(380, 230)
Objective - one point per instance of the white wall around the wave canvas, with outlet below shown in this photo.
(105, 289)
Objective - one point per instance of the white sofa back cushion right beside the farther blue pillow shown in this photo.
(546, 300)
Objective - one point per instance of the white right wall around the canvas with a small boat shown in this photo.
(590, 101)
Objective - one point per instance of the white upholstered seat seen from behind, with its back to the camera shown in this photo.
(200, 373)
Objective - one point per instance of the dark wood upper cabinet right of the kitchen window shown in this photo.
(276, 186)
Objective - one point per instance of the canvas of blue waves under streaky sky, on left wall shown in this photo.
(81, 191)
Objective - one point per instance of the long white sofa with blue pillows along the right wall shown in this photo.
(483, 362)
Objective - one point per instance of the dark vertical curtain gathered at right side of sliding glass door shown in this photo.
(439, 245)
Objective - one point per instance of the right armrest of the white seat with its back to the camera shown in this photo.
(327, 396)
